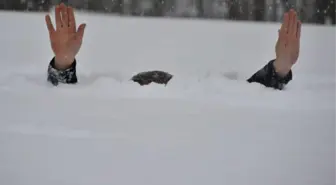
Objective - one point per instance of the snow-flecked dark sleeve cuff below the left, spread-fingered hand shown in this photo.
(67, 76)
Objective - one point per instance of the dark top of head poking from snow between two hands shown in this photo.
(145, 78)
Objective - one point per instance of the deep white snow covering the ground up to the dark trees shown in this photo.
(206, 127)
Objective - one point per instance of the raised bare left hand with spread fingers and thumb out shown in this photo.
(66, 39)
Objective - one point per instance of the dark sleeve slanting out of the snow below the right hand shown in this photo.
(269, 78)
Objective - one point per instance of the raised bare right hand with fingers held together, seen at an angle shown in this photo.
(288, 45)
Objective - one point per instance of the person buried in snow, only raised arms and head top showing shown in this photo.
(66, 41)
